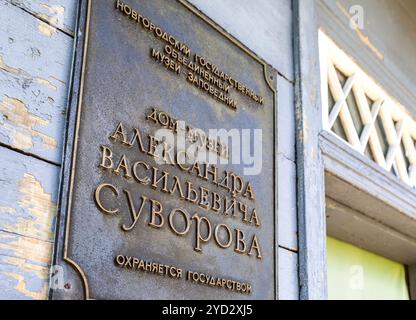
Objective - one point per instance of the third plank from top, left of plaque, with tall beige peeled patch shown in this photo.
(28, 197)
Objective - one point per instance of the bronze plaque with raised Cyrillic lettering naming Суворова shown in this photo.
(169, 179)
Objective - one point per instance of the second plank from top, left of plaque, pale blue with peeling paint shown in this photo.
(35, 62)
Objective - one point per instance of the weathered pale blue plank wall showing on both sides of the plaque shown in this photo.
(36, 38)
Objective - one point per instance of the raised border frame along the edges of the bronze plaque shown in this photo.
(69, 156)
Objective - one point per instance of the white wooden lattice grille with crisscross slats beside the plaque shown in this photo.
(361, 113)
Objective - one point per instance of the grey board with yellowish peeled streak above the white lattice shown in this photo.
(384, 48)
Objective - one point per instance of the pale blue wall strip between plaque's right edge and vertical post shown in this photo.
(250, 24)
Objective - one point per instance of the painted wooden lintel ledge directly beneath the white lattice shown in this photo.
(364, 185)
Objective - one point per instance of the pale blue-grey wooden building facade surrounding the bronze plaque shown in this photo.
(346, 132)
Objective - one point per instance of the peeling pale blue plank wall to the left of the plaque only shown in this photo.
(36, 38)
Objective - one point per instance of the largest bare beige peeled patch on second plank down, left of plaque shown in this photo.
(21, 123)
